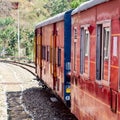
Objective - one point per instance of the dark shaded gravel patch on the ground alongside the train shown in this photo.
(38, 103)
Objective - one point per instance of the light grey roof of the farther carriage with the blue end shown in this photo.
(54, 19)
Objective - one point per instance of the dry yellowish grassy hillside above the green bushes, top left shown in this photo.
(31, 11)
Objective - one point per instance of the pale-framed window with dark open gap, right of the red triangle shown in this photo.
(103, 53)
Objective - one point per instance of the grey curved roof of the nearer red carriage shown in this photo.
(87, 5)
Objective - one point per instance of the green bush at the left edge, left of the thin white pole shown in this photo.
(7, 35)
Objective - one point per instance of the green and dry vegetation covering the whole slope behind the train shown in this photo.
(30, 13)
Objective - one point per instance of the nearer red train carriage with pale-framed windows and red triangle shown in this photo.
(95, 60)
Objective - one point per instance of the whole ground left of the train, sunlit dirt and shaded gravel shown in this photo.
(22, 99)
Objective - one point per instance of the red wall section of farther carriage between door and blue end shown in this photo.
(60, 58)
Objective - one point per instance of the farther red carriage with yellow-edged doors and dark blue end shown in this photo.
(53, 47)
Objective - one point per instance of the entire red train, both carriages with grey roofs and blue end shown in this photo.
(77, 54)
